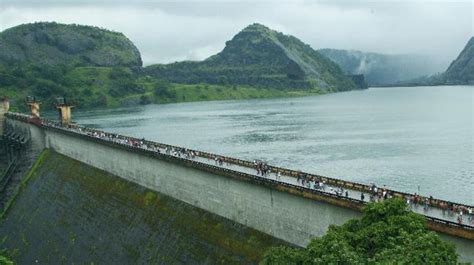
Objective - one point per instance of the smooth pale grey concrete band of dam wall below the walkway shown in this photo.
(292, 218)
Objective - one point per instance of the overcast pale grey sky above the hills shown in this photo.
(168, 31)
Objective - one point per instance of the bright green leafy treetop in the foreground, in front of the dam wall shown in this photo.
(387, 233)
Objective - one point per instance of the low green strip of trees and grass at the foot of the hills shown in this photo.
(93, 87)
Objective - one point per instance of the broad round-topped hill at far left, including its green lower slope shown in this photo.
(93, 66)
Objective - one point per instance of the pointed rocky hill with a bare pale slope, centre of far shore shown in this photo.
(260, 57)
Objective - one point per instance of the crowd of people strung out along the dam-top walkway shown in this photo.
(264, 170)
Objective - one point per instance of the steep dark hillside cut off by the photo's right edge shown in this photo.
(461, 70)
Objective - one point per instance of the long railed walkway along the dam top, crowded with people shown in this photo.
(438, 211)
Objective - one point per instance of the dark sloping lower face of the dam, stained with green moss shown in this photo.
(73, 213)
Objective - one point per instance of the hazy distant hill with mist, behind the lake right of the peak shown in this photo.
(380, 69)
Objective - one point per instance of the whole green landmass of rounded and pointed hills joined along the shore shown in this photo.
(98, 68)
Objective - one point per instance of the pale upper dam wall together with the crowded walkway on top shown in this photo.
(283, 203)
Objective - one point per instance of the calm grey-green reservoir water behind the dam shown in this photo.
(405, 138)
